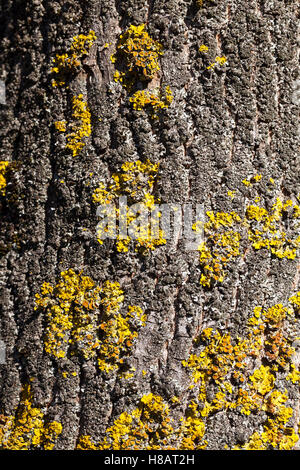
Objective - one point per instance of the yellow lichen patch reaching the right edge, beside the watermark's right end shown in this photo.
(274, 229)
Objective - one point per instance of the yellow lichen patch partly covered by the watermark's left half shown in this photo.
(140, 221)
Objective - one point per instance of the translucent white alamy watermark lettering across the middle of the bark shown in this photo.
(141, 221)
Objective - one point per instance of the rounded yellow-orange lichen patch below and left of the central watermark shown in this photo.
(83, 318)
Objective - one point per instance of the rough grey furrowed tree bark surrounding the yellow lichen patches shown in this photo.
(223, 126)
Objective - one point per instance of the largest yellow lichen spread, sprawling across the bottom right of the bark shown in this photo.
(221, 360)
